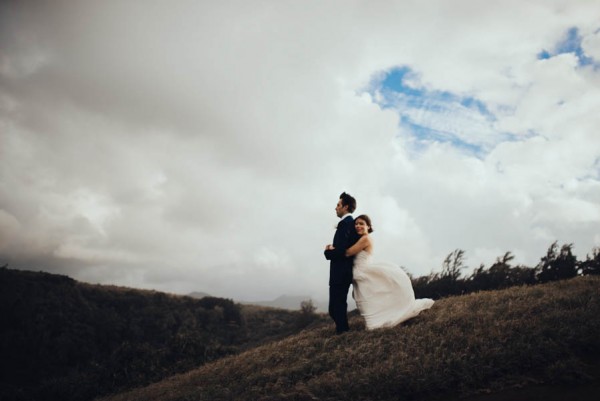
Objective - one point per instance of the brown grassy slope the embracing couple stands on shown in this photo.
(464, 345)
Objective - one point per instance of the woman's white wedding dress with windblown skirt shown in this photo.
(383, 293)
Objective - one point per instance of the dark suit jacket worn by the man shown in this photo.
(340, 266)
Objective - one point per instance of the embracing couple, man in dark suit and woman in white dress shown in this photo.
(382, 291)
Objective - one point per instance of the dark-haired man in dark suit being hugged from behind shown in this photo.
(340, 267)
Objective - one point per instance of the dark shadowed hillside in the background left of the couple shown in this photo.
(65, 340)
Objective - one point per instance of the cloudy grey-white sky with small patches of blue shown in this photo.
(202, 146)
